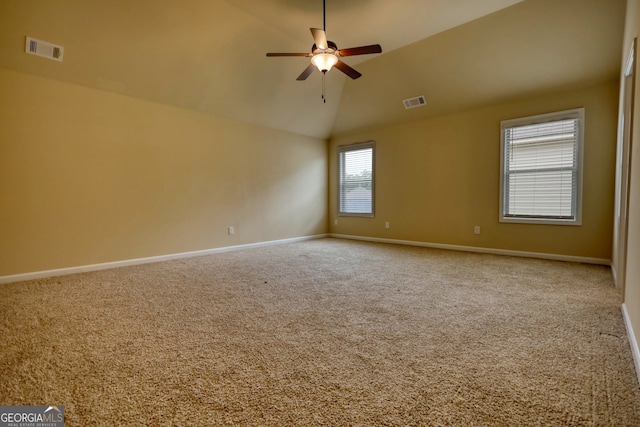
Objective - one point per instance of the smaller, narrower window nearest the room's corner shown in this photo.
(356, 179)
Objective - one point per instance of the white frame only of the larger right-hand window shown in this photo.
(578, 114)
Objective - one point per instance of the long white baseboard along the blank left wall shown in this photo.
(125, 263)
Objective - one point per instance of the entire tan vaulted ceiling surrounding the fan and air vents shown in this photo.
(209, 55)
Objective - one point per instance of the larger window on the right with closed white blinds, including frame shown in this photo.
(541, 161)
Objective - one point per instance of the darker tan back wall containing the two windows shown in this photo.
(438, 178)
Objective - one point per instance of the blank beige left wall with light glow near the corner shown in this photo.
(90, 177)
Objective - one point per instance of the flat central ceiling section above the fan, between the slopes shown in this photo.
(362, 22)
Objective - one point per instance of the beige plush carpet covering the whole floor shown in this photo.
(323, 332)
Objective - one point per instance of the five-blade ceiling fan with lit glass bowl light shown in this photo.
(325, 53)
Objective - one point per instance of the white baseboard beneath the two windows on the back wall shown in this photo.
(557, 257)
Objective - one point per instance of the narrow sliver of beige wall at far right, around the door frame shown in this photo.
(632, 283)
